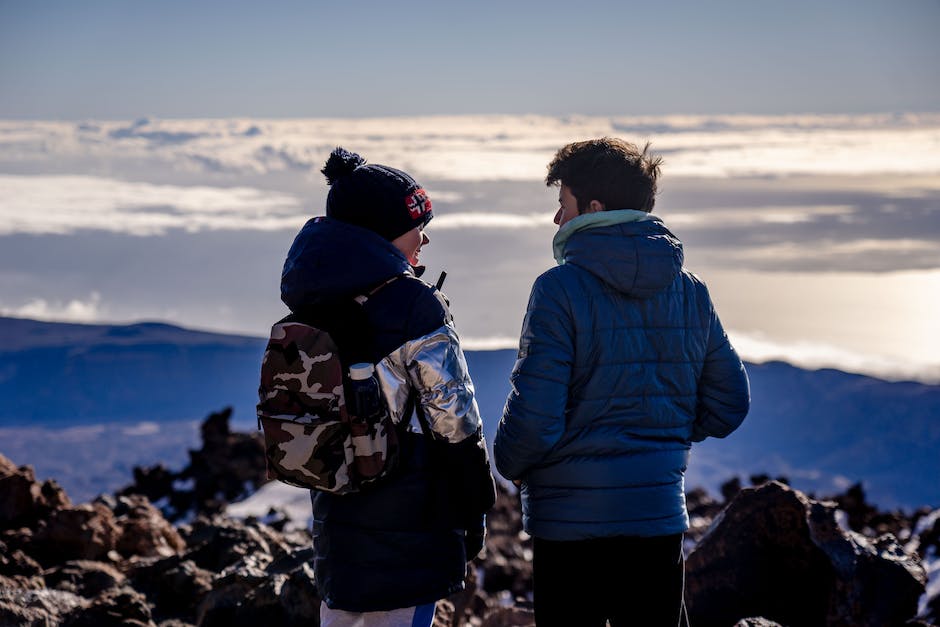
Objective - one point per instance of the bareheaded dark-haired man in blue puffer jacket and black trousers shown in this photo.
(622, 364)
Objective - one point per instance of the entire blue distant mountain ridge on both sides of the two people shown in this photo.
(823, 429)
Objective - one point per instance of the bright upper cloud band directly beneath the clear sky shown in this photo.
(472, 148)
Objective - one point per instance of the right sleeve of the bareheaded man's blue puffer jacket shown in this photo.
(724, 392)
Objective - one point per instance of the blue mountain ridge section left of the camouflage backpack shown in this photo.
(57, 373)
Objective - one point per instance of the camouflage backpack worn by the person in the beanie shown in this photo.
(311, 439)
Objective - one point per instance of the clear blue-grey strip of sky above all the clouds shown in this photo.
(120, 59)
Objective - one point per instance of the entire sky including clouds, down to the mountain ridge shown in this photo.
(156, 158)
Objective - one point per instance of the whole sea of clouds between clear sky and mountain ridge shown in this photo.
(818, 234)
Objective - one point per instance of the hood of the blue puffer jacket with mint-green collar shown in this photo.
(632, 251)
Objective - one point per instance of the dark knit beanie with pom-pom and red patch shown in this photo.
(376, 197)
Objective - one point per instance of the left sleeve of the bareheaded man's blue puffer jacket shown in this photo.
(533, 419)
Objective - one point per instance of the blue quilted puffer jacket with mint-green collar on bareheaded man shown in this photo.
(622, 364)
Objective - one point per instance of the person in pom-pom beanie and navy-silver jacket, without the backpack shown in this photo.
(386, 555)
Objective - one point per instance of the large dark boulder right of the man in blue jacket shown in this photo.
(777, 554)
